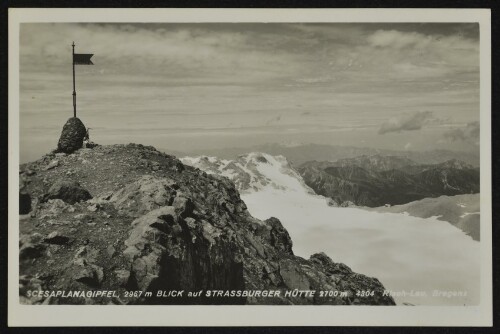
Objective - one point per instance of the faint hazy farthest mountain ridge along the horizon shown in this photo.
(299, 154)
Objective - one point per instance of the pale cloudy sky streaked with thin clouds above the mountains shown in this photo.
(194, 86)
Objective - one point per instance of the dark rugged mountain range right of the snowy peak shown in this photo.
(379, 180)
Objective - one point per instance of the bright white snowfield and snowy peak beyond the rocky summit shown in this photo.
(408, 254)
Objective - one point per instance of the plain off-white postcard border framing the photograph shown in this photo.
(57, 315)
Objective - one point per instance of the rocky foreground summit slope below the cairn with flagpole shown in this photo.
(128, 218)
